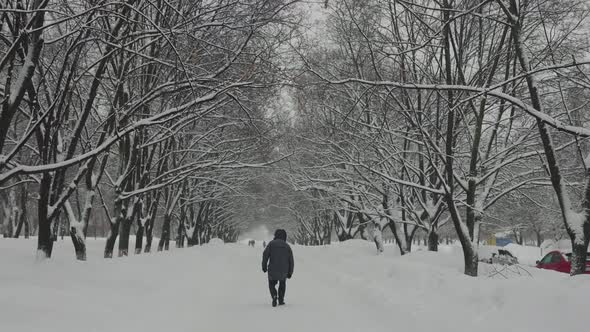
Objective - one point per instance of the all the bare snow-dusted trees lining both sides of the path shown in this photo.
(402, 116)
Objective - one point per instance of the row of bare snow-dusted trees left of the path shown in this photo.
(142, 110)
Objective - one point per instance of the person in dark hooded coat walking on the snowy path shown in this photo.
(277, 259)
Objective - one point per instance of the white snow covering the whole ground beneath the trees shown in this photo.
(343, 287)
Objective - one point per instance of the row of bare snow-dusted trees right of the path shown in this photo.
(413, 115)
